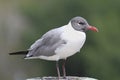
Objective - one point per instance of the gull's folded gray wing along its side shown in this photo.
(47, 45)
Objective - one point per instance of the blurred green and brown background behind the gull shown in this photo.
(24, 21)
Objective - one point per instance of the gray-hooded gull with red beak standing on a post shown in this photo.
(60, 43)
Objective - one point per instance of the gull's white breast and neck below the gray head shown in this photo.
(75, 40)
